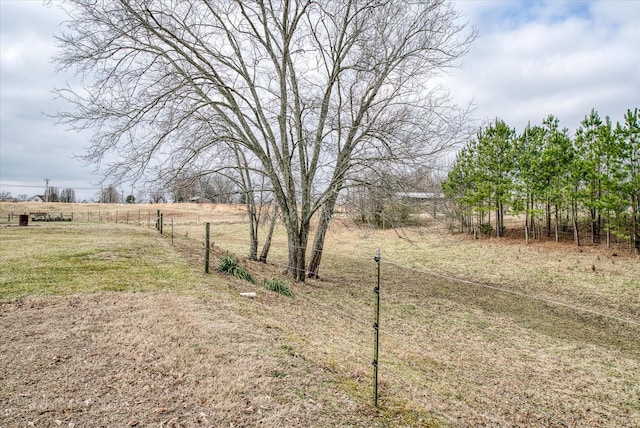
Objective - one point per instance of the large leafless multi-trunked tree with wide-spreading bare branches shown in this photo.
(311, 93)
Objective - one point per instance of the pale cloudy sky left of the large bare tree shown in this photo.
(32, 147)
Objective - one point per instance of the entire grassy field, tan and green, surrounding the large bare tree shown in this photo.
(117, 324)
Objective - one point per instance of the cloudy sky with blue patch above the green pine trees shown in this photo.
(533, 59)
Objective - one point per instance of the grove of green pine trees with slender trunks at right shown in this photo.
(587, 184)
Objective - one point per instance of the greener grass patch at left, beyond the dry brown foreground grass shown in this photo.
(71, 258)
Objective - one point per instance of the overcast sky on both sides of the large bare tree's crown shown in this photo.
(531, 59)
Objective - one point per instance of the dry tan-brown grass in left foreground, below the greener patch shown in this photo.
(149, 359)
